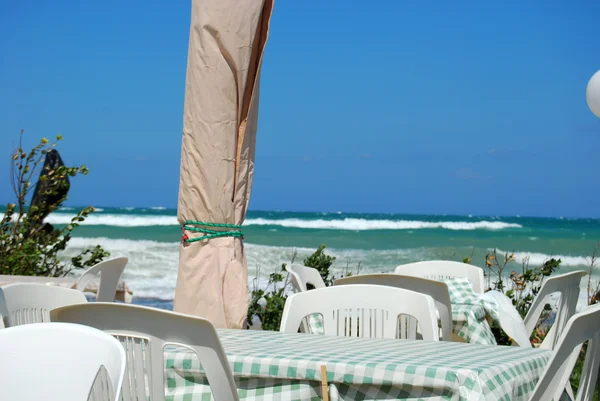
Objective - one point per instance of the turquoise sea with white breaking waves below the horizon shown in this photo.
(361, 242)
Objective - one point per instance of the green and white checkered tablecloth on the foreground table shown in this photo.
(282, 366)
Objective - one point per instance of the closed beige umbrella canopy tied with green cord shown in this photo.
(227, 41)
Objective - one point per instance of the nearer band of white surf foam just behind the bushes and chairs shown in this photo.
(152, 268)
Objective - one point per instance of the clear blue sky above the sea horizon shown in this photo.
(392, 106)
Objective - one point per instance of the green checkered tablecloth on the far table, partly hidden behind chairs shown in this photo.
(469, 314)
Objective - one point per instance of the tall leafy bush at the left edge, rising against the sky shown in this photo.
(29, 247)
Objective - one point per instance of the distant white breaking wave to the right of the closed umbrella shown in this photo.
(354, 224)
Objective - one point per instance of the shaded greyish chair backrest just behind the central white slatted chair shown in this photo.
(435, 289)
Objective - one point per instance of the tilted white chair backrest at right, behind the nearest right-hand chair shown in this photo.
(567, 286)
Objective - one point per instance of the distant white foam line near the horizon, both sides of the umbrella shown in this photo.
(351, 224)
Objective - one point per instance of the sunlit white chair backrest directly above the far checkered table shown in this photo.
(442, 269)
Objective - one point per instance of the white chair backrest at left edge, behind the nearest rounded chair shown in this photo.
(32, 303)
